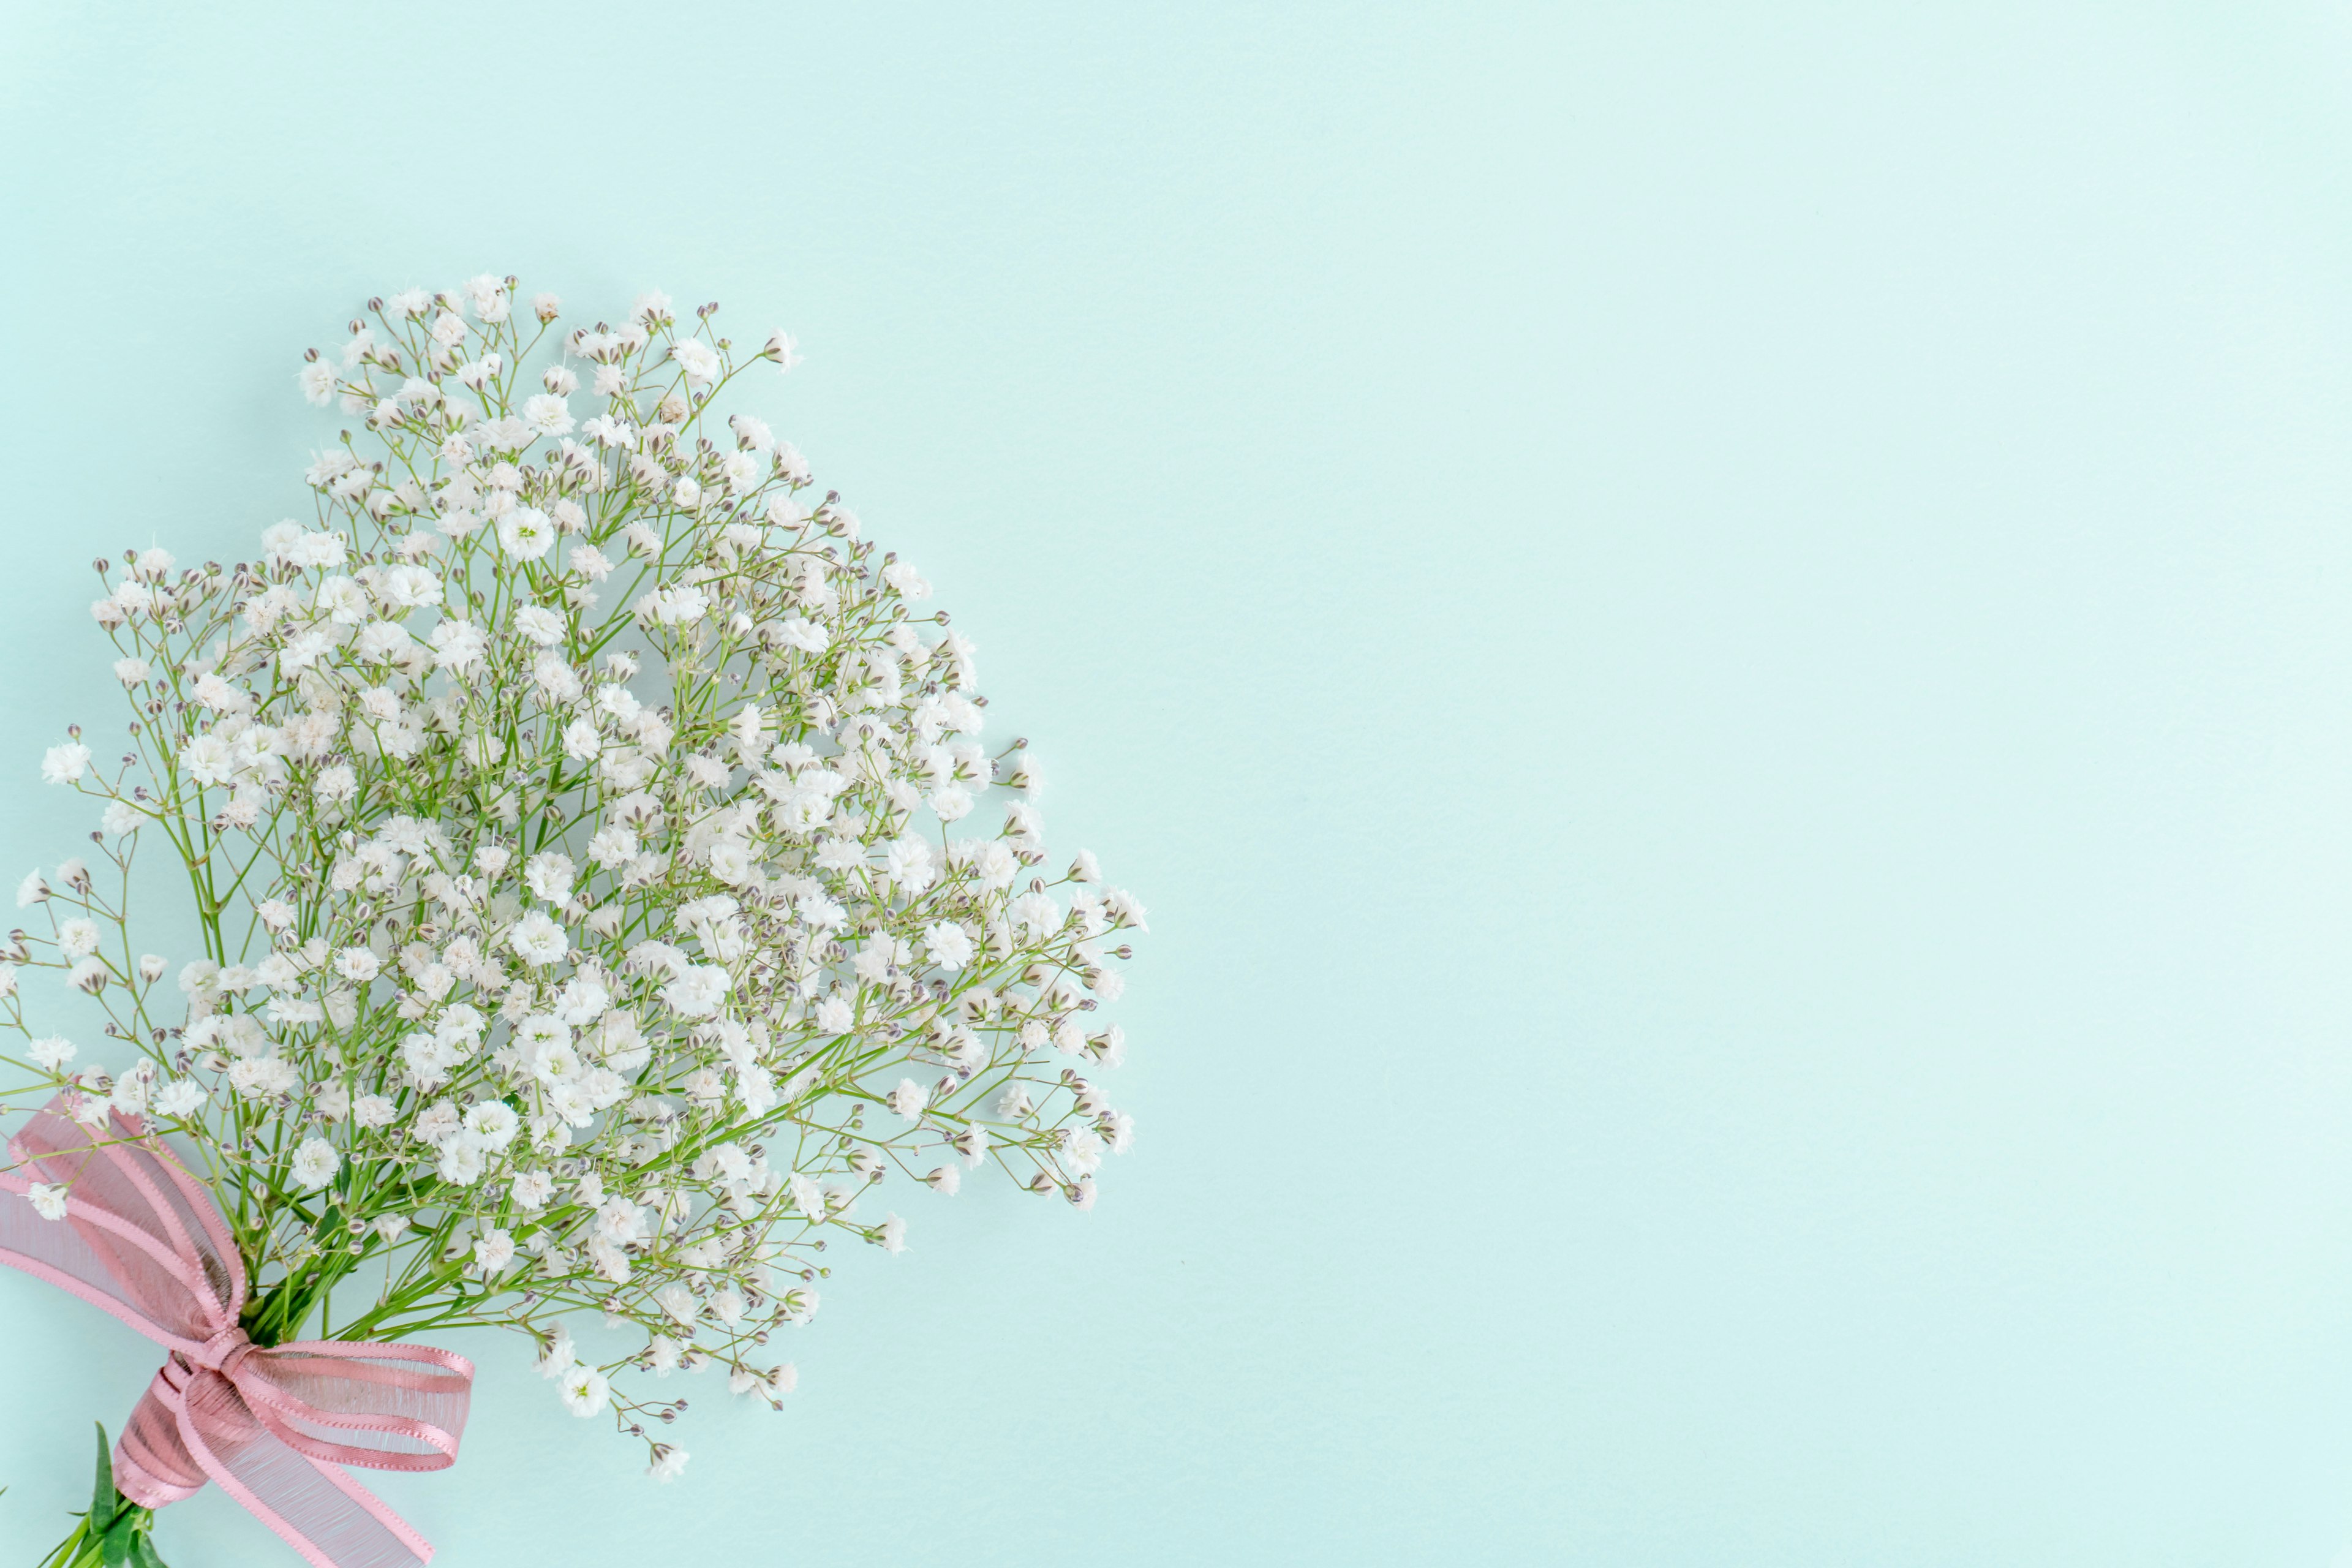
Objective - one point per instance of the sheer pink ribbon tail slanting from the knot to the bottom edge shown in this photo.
(312, 1506)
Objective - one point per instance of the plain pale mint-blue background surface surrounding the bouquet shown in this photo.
(1716, 634)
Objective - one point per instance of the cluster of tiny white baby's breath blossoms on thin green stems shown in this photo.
(596, 869)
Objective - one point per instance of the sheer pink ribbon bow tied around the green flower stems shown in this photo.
(272, 1423)
